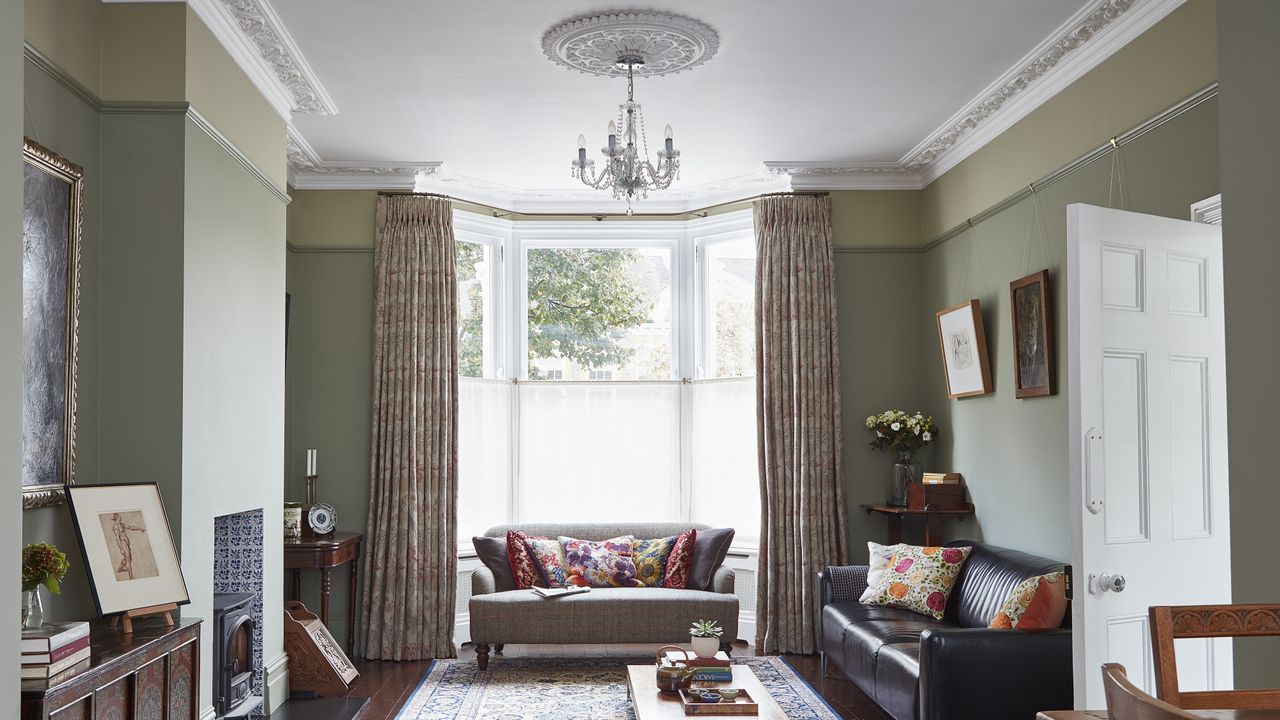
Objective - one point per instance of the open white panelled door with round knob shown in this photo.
(1149, 441)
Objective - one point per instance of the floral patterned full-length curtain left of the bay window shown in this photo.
(412, 555)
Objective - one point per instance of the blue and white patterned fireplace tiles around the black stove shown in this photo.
(239, 568)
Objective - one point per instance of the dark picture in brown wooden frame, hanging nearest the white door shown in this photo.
(1034, 336)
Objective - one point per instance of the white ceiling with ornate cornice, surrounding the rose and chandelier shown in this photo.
(826, 93)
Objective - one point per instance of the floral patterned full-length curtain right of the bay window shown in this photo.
(803, 512)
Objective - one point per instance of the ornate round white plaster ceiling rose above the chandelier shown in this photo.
(668, 43)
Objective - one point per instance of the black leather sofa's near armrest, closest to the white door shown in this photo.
(994, 673)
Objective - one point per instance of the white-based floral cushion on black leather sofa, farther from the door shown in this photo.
(920, 580)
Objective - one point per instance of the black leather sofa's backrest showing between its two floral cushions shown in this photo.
(988, 580)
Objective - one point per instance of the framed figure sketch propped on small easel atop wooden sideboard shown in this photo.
(129, 549)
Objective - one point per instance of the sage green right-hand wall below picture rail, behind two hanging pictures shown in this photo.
(1014, 453)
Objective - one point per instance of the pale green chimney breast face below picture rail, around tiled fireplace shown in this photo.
(232, 349)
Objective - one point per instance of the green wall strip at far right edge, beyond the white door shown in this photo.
(1249, 56)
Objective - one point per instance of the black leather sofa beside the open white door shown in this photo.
(918, 668)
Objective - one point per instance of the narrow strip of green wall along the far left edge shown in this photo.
(11, 353)
